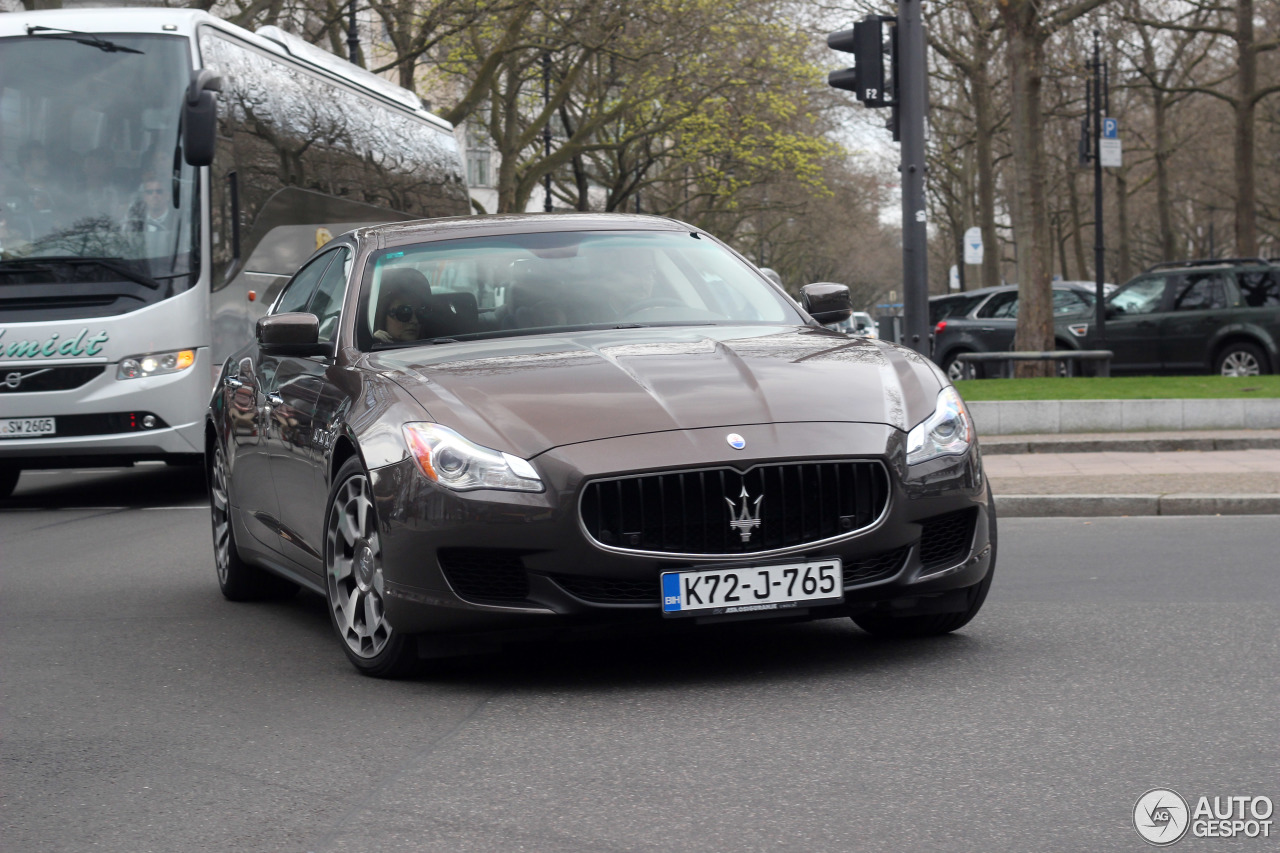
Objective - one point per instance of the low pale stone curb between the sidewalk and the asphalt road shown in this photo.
(1036, 507)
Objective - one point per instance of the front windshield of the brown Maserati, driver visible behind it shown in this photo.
(550, 282)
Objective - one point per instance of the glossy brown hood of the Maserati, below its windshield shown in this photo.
(529, 395)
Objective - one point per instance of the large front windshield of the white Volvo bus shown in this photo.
(94, 188)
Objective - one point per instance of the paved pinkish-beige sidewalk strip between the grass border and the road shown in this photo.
(1163, 473)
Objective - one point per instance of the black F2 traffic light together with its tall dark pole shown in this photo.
(889, 71)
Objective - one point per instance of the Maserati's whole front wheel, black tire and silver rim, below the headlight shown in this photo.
(355, 583)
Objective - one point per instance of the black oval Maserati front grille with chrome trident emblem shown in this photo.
(696, 512)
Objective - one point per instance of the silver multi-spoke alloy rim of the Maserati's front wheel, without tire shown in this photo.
(354, 571)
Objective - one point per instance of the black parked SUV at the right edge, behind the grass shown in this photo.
(1191, 317)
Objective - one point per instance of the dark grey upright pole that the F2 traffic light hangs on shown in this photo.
(912, 80)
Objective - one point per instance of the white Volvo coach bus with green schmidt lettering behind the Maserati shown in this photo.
(162, 175)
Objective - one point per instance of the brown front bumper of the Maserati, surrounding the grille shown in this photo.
(487, 560)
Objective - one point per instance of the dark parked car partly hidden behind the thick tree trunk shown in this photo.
(989, 320)
